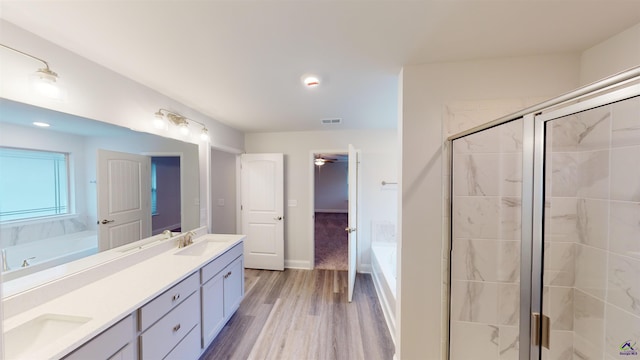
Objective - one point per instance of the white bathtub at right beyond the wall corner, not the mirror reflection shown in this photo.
(384, 259)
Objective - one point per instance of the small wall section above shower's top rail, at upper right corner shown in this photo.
(611, 56)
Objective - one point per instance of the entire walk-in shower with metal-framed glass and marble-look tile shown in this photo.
(545, 229)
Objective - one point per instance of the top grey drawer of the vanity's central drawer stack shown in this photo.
(158, 307)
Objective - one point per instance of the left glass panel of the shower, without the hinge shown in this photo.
(486, 232)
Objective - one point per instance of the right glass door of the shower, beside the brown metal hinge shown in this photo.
(591, 228)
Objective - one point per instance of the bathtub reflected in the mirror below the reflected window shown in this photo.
(48, 253)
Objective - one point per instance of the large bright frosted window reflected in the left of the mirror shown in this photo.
(33, 184)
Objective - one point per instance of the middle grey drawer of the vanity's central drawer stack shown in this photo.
(159, 339)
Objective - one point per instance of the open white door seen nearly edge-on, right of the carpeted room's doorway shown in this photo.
(352, 180)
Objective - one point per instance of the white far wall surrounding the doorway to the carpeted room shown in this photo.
(378, 163)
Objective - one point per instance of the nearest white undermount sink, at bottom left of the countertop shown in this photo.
(39, 332)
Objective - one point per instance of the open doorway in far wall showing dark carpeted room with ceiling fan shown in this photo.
(331, 211)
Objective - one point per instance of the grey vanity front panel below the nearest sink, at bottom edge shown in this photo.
(109, 343)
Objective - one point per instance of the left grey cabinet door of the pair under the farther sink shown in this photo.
(212, 308)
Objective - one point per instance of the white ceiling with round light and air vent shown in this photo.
(241, 62)
